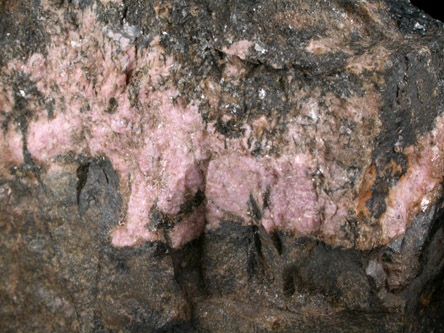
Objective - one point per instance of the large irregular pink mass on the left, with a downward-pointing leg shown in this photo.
(157, 146)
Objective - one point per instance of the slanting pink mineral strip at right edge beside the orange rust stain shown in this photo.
(419, 188)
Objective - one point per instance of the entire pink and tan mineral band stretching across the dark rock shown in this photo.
(115, 100)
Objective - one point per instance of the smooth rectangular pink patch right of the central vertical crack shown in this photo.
(234, 180)
